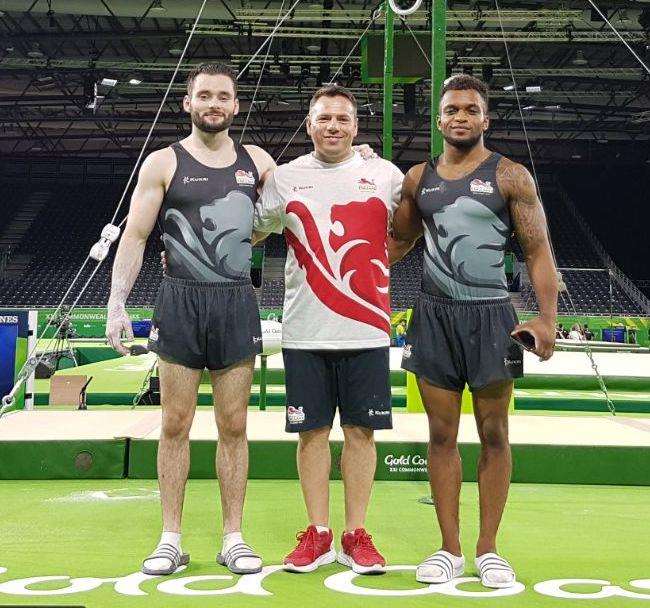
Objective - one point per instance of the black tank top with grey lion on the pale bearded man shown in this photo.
(207, 218)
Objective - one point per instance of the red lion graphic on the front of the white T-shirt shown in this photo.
(354, 261)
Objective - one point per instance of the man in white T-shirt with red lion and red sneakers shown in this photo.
(335, 210)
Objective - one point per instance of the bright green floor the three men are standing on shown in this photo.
(102, 529)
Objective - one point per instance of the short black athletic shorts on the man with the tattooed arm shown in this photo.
(451, 343)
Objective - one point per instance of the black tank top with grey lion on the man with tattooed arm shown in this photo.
(466, 224)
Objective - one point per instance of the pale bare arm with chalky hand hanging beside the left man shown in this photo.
(145, 205)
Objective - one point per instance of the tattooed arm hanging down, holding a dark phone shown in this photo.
(518, 187)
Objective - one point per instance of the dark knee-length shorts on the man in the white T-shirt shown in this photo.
(319, 381)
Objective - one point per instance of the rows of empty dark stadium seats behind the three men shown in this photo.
(61, 236)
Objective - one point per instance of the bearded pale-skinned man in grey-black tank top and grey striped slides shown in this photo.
(203, 189)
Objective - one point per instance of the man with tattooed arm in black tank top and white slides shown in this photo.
(466, 203)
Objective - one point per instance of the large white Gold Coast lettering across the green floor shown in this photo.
(342, 582)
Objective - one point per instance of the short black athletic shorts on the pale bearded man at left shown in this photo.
(201, 325)
